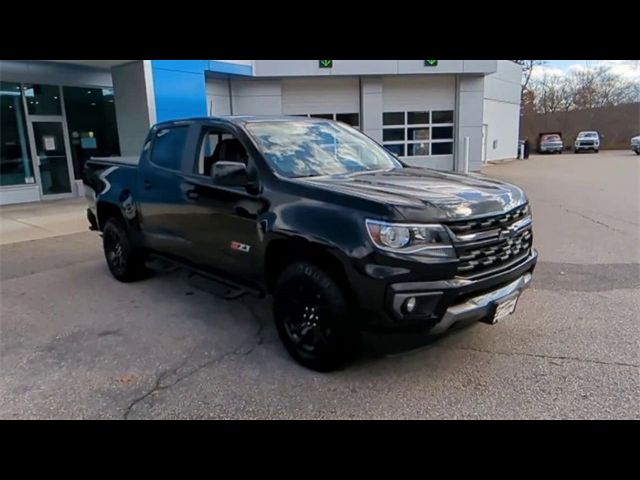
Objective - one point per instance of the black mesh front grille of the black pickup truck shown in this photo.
(486, 245)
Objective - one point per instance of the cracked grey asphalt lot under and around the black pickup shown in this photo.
(75, 343)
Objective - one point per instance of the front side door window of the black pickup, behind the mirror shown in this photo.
(218, 145)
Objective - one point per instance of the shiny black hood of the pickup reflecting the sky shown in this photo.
(421, 194)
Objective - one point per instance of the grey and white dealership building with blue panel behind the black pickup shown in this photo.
(444, 114)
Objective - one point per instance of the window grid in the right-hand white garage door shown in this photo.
(418, 133)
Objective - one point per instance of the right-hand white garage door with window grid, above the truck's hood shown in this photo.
(418, 119)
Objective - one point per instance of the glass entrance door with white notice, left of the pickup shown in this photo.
(53, 163)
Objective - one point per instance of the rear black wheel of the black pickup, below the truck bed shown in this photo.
(125, 262)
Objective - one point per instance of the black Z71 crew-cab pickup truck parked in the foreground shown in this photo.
(343, 234)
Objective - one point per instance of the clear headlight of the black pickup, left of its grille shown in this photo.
(427, 240)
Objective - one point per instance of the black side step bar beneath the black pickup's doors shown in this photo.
(202, 280)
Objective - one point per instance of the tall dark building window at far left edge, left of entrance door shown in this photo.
(15, 161)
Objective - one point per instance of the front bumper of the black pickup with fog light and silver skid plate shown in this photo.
(441, 303)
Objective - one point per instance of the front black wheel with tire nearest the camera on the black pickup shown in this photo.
(313, 318)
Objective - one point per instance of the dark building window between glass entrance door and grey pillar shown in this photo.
(91, 119)
